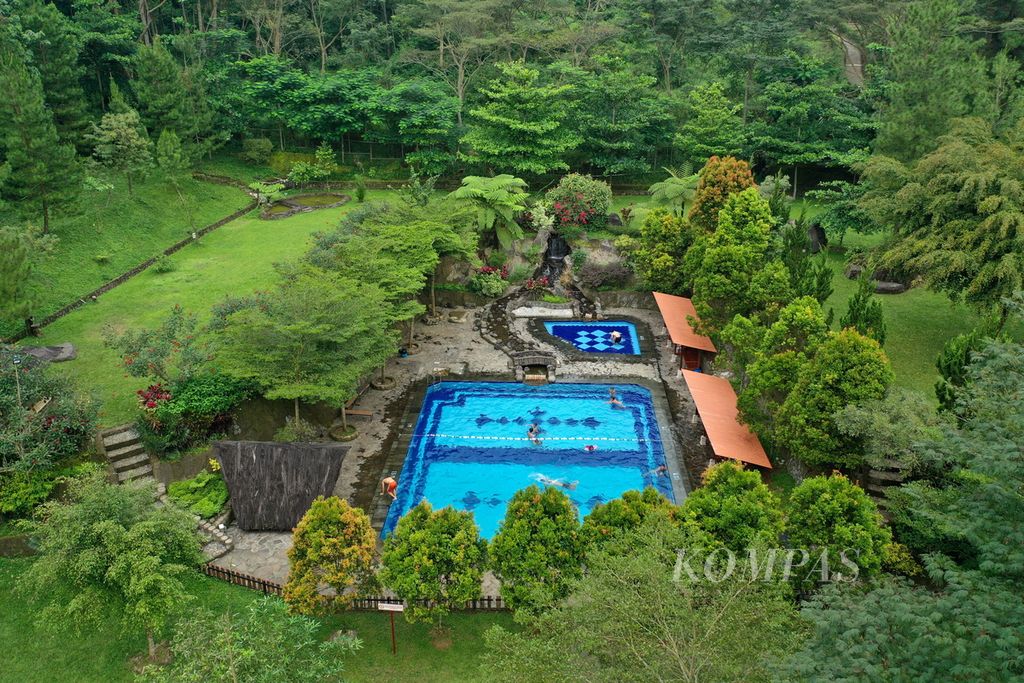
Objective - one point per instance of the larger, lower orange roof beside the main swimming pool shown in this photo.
(716, 407)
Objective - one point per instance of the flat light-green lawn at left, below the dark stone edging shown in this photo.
(236, 260)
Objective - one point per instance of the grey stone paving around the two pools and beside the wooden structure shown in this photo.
(449, 350)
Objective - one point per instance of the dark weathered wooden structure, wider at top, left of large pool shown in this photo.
(273, 485)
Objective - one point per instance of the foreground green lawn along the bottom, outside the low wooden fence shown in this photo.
(33, 655)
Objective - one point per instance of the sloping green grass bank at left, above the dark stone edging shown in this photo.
(114, 232)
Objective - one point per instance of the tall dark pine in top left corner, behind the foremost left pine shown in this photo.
(55, 45)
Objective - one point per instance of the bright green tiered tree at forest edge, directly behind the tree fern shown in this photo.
(522, 124)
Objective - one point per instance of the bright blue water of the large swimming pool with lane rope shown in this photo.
(472, 449)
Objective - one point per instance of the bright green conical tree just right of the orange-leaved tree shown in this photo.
(732, 269)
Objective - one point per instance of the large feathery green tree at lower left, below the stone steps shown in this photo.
(108, 550)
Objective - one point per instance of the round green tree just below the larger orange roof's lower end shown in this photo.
(735, 508)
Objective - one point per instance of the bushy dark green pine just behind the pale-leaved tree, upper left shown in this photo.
(163, 102)
